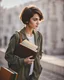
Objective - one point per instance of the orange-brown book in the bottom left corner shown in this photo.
(8, 74)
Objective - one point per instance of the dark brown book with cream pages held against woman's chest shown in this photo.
(26, 49)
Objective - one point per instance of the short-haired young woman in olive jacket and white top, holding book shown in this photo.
(27, 68)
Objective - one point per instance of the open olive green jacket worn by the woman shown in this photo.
(17, 63)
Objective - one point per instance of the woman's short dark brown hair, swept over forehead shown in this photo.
(29, 12)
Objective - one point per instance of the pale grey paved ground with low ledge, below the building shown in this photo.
(50, 64)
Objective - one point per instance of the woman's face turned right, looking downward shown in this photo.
(34, 21)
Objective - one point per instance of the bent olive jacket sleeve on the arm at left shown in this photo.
(9, 54)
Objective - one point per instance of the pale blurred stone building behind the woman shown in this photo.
(52, 28)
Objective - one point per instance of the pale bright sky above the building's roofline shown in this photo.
(12, 3)
